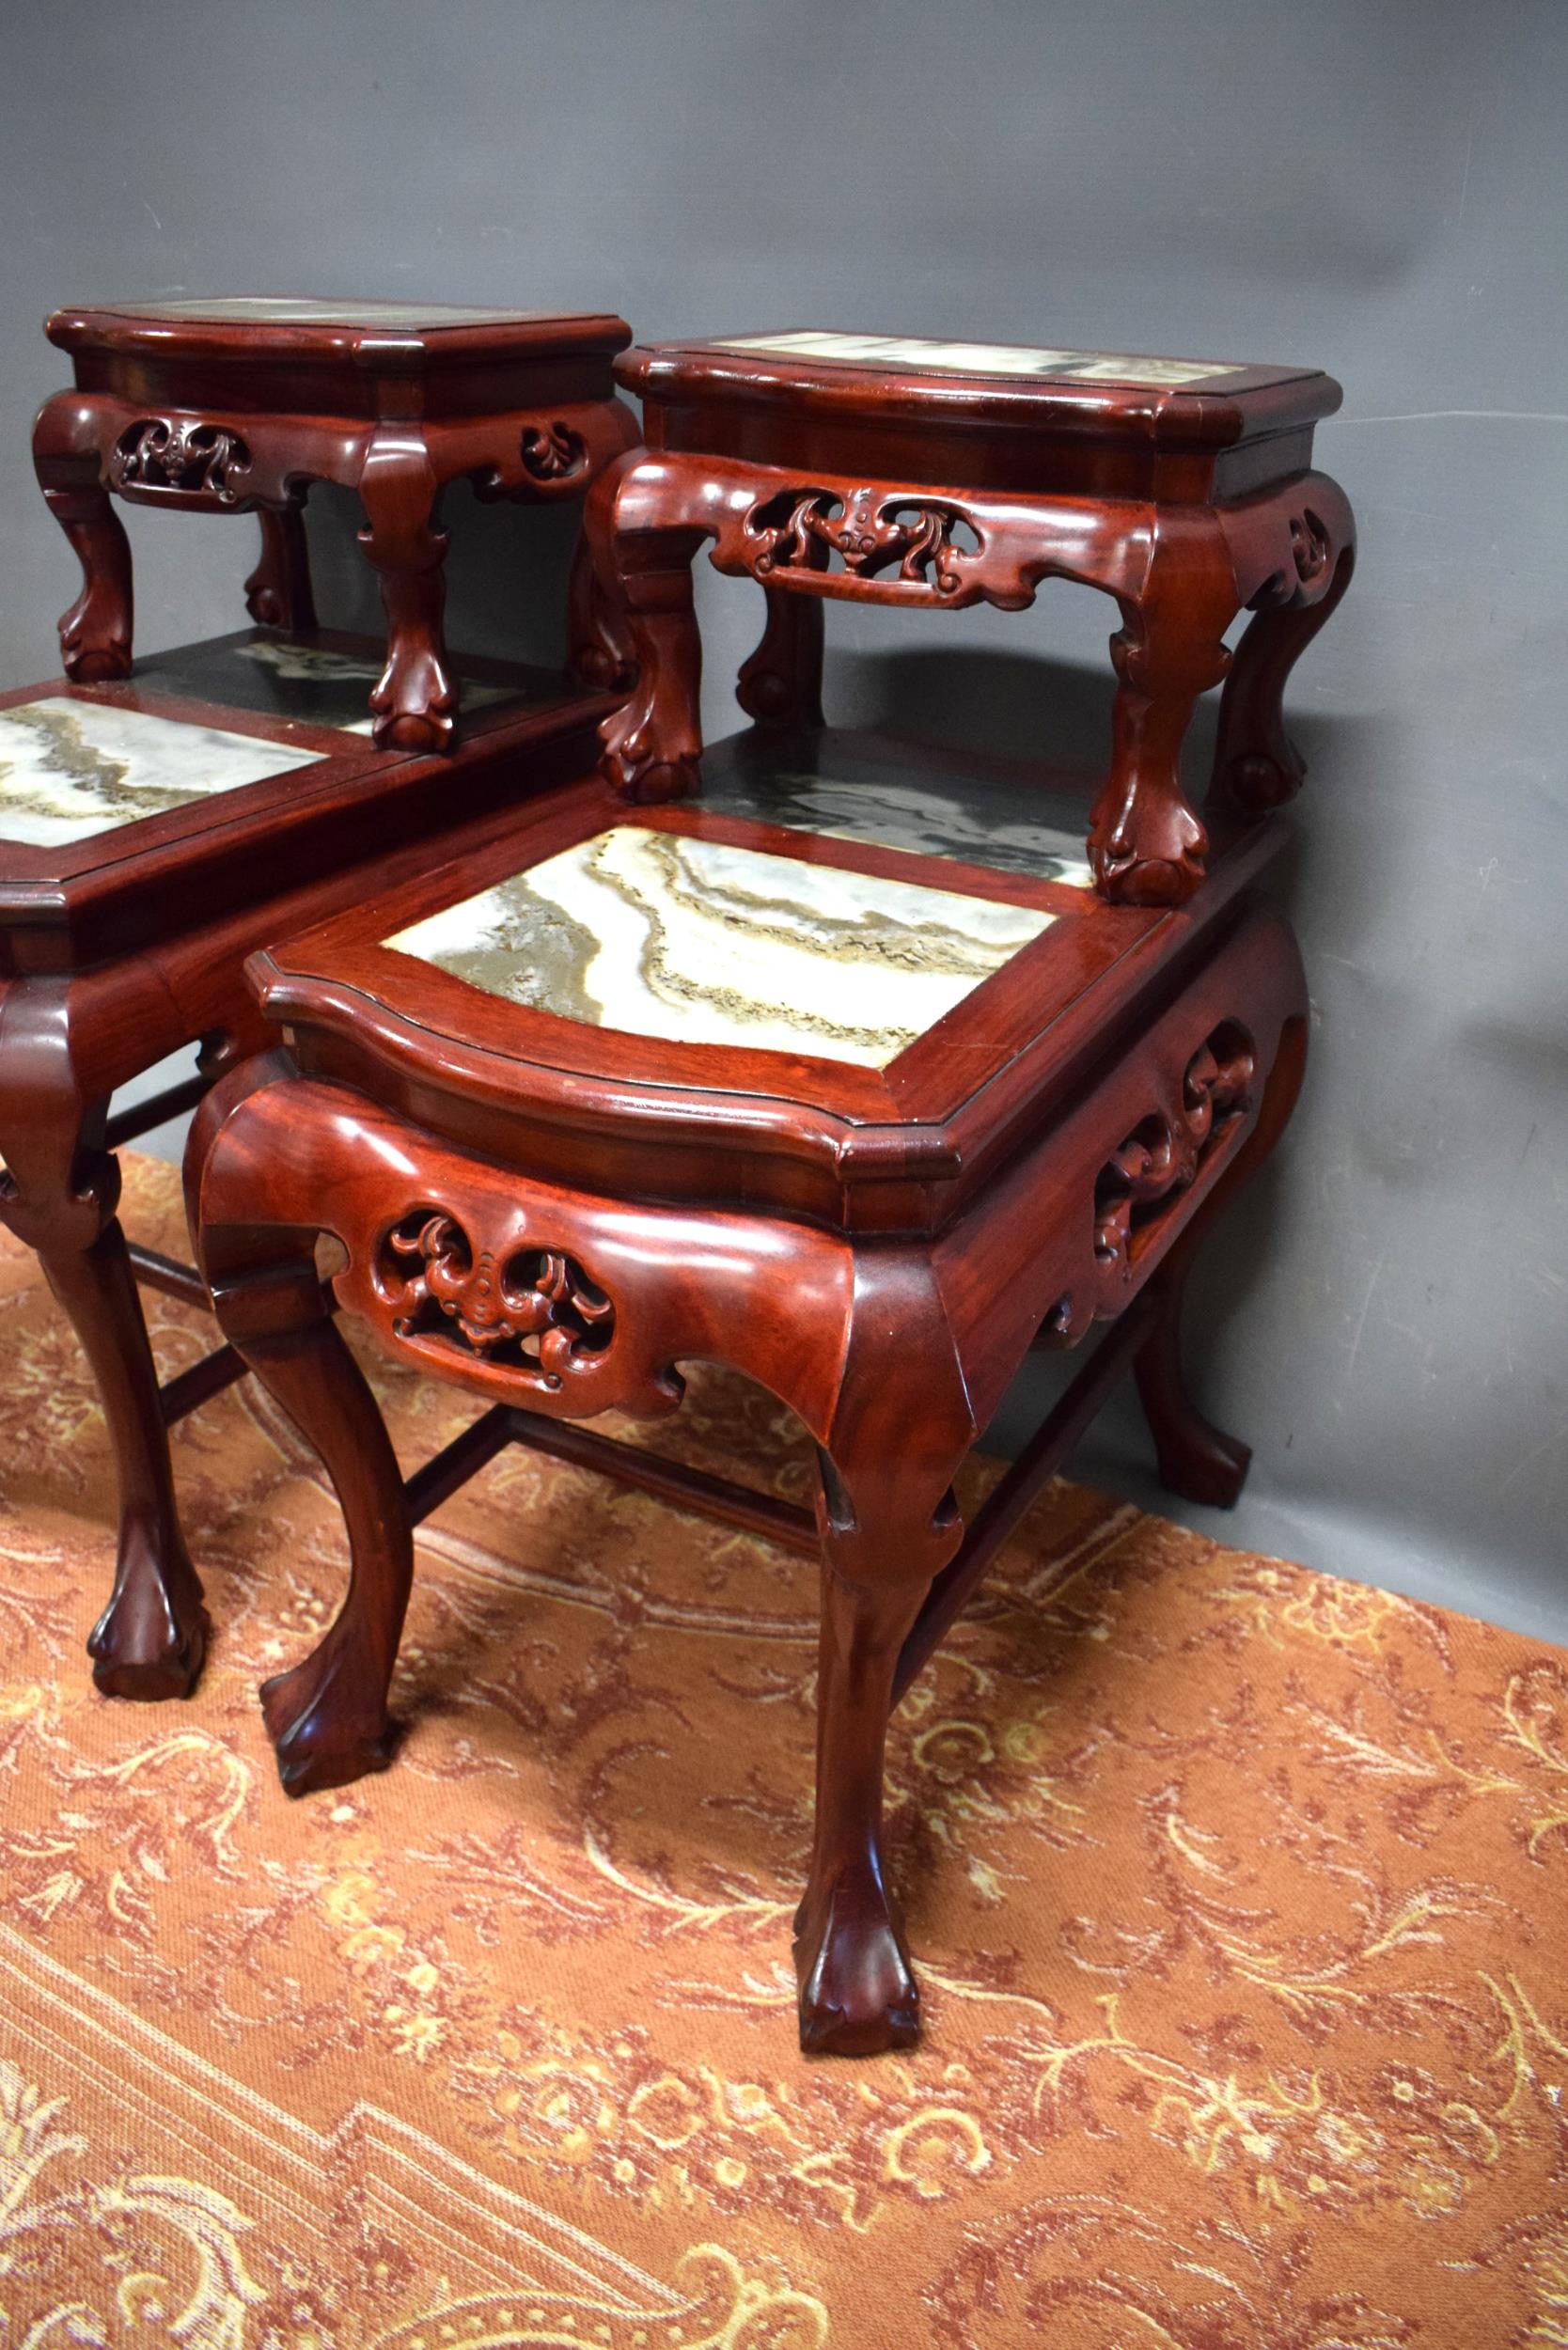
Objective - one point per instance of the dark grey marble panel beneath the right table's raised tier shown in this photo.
(967, 819)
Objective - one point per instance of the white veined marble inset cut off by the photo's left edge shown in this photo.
(74, 770)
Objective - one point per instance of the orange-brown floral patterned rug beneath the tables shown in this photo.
(1240, 1900)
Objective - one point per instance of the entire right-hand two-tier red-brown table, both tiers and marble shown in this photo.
(810, 1054)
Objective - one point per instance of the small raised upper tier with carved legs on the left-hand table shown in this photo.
(239, 405)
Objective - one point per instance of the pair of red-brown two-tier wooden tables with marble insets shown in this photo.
(845, 1063)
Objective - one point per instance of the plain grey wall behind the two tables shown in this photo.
(1362, 184)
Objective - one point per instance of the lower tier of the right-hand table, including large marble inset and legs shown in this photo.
(862, 1122)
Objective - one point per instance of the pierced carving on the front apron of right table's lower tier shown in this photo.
(532, 1310)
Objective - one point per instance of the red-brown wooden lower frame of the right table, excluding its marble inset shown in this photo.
(561, 1233)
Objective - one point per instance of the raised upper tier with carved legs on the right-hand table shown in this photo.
(934, 476)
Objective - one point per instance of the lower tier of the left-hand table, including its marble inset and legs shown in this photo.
(152, 835)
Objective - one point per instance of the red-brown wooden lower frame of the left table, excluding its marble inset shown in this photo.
(121, 951)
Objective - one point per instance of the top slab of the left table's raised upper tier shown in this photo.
(356, 333)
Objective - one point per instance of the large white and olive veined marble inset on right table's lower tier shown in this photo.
(702, 944)
